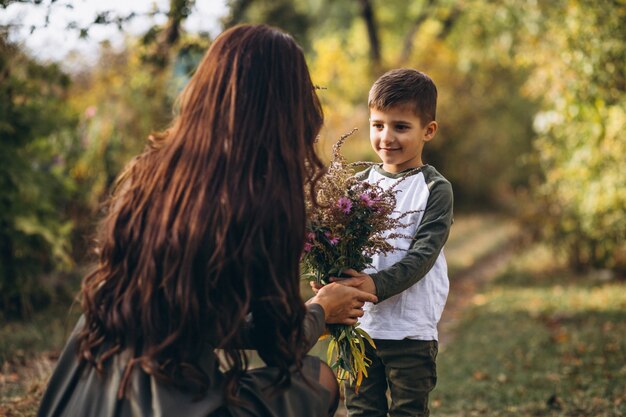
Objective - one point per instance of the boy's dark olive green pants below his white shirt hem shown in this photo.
(405, 367)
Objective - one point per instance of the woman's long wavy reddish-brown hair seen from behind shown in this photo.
(206, 227)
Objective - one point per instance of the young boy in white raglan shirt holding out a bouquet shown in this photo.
(411, 283)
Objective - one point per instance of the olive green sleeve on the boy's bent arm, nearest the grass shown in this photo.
(430, 236)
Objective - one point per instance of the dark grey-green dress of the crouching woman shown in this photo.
(77, 390)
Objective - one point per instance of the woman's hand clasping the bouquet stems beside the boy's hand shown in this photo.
(342, 303)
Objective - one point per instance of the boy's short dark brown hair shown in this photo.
(405, 86)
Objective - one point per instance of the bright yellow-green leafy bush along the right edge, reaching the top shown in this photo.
(581, 144)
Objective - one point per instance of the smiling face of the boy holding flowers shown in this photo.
(398, 136)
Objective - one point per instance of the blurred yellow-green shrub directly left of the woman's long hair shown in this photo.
(122, 100)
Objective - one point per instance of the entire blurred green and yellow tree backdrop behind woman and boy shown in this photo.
(531, 111)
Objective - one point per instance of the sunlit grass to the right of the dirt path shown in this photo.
(538, 341)
